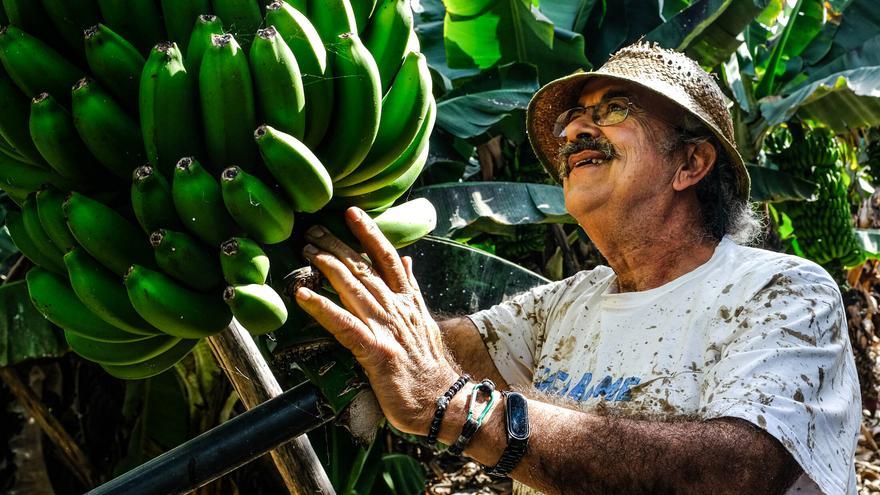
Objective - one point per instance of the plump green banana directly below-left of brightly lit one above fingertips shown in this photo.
(255, 207)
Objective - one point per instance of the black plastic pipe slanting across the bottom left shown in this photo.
(226, 447)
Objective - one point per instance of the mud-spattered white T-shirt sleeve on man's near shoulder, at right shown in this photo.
(784, 363)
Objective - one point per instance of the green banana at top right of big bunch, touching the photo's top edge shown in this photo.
(387, 37)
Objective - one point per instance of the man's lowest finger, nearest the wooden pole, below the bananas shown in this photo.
(348, 330)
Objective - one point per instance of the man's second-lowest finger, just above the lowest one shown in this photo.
(356, 297)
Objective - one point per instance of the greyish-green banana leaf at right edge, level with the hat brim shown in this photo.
(842, 101)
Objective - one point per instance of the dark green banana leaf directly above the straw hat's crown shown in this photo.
(708, 30)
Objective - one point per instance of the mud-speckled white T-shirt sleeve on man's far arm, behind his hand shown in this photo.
(513, 329)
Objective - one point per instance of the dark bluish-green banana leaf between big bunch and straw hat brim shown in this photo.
(484, 104)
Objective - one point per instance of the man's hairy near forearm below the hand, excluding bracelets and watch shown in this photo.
(576, 452)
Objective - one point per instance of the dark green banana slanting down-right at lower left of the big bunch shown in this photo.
(105, 234)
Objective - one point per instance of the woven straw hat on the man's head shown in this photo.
(666, 72)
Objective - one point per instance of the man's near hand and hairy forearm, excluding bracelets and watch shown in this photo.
(387, 326)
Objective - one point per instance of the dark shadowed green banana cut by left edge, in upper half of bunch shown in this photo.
(13, 122)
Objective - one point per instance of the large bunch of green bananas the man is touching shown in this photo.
(166, 155)
